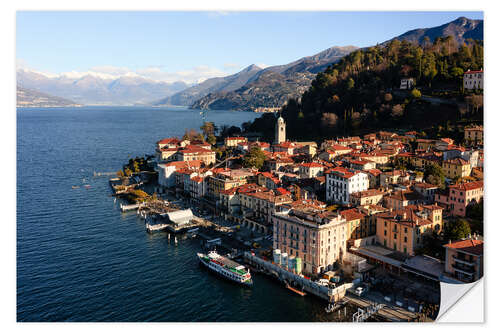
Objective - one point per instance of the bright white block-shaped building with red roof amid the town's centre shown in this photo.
(341, 182)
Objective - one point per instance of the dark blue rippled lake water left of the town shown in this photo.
(80, 259)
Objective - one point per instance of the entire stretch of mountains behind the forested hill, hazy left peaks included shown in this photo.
(250, 88)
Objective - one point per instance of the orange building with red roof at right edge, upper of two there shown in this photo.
(460, 196)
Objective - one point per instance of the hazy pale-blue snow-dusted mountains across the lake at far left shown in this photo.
(95, 90)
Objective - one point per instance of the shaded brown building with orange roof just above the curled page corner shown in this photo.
(464, 259)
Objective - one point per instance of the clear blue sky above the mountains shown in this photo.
(193, 46)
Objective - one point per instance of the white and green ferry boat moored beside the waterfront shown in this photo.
(227, 268)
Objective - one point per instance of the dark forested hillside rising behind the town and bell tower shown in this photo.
(361, 92)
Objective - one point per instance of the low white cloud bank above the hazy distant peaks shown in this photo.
(192, 75)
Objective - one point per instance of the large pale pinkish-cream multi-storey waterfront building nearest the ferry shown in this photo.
(316, 236)
